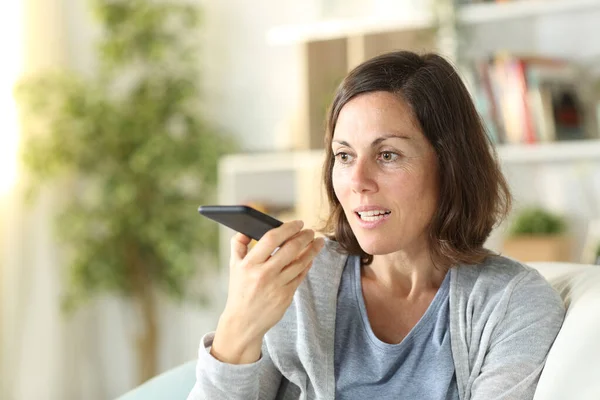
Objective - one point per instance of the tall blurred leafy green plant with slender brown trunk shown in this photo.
(131, 147)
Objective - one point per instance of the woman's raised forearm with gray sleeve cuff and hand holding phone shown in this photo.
(233, 362)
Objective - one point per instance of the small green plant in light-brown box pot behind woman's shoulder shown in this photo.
(537, 234)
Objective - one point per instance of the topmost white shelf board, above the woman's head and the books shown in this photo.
(468, 14)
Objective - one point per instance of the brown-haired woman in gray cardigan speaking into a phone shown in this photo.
(401, 301)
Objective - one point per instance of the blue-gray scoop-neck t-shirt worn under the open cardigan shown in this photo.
(420, 367)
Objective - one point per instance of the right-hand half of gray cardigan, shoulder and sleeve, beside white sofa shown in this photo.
(505, 317)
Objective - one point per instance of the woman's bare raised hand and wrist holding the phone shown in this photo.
(261, 288)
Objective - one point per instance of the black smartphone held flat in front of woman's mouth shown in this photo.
(244, 219)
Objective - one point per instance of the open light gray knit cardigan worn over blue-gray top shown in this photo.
(504, 317)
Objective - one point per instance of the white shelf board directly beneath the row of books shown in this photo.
(550, 152)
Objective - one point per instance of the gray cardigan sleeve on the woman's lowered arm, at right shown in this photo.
(520, 343)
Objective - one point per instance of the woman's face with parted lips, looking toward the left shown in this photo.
(385, 174)
